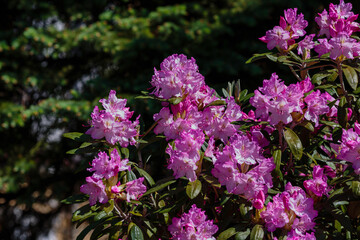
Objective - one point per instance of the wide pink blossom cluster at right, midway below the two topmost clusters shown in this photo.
(275, 102)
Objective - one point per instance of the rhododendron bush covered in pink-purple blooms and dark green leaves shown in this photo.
(280, 163)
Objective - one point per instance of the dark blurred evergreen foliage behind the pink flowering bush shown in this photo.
(58, 58)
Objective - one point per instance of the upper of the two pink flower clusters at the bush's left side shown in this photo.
(114, 122)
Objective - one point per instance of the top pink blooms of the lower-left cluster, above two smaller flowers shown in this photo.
(103, 167)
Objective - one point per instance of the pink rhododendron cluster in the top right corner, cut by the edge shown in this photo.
(338, 25)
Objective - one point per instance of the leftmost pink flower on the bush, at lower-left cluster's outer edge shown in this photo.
(95, 188)
